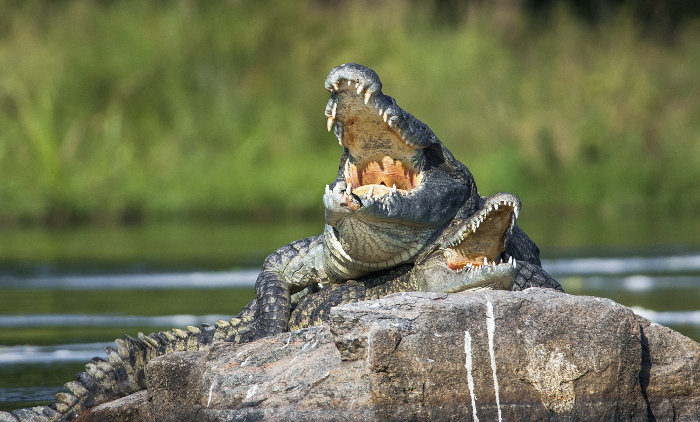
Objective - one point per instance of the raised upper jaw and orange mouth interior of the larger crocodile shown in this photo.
(385, 144)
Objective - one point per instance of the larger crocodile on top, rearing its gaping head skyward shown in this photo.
(398, 187)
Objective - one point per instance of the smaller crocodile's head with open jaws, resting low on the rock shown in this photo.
(469, 254)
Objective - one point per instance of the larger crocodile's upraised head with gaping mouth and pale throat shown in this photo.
(397, 186)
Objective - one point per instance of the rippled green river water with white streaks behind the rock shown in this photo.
(57, 312)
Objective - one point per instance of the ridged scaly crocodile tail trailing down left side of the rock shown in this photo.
(124, 371)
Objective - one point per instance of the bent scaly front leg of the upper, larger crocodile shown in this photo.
(287, 270)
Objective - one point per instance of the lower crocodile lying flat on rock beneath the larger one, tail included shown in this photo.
(471, 253)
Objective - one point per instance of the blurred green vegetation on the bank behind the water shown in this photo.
(122, 111)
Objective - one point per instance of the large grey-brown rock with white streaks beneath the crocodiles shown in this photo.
(531, 355)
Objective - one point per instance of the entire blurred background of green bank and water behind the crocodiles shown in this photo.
(153, 153)
